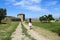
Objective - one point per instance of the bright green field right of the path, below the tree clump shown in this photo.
(55, 26)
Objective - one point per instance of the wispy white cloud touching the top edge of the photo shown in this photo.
(28, 2)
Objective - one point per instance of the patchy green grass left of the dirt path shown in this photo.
(7, 29)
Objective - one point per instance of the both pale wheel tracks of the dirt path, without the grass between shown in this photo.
(18, 35)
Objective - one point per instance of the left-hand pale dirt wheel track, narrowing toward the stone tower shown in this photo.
(17, 35)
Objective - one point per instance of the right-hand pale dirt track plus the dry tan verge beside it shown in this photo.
(41, 34)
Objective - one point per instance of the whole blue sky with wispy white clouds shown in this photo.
(31, 8)
